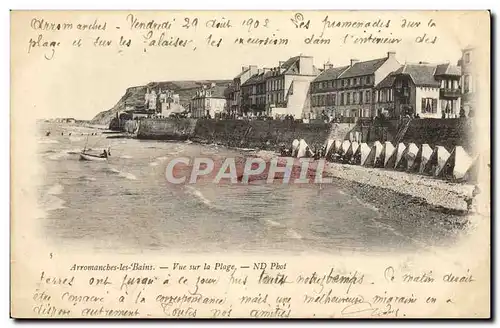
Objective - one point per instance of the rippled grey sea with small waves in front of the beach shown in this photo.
(126, 204)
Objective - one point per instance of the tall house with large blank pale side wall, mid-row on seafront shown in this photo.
(287, 86)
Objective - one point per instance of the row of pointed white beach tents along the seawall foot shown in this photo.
(456, 165)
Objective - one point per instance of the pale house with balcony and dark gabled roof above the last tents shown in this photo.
(426, 90)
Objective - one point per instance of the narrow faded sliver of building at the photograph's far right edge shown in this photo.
(468, 80)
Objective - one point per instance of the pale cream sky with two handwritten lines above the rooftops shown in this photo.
(81, 81)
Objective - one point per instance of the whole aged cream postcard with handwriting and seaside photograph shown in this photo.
(250, 164)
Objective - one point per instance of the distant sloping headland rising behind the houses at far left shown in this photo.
(134, 96)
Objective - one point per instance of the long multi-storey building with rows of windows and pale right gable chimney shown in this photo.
(348, 90)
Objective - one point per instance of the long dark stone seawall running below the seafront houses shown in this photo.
(271, 134)
